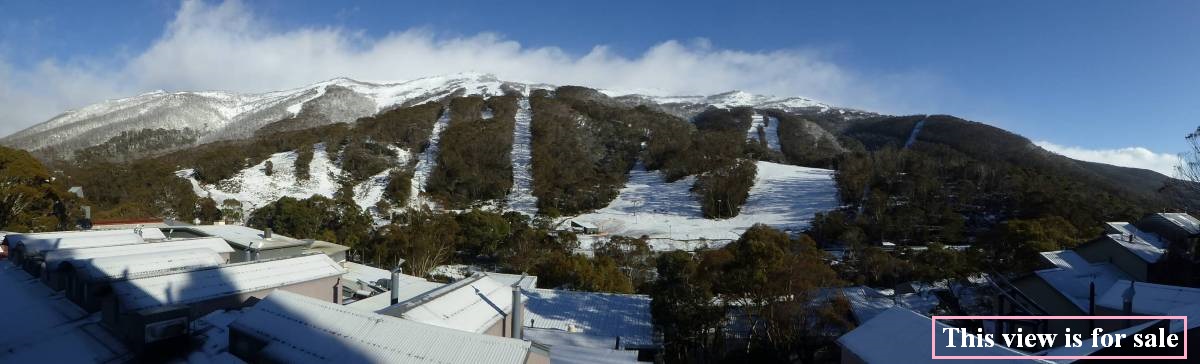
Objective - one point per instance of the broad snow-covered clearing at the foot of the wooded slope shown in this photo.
(783, 196)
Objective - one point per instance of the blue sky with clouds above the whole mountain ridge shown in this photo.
(1102, 81)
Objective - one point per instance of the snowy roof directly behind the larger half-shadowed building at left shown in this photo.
(149, 264)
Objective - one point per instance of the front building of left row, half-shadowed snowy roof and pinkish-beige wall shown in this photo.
(148, 311)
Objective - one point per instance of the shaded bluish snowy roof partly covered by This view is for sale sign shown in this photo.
(901, 336)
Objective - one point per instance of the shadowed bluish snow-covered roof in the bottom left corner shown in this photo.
(43, 327)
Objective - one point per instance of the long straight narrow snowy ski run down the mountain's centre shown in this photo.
(521, 196)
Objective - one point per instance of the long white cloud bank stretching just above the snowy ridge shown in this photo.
(227, 47)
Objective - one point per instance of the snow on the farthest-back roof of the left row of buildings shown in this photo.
(41, 243)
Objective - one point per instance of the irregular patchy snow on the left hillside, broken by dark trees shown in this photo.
(255, 189)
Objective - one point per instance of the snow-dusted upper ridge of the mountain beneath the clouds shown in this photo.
(217, 116)
